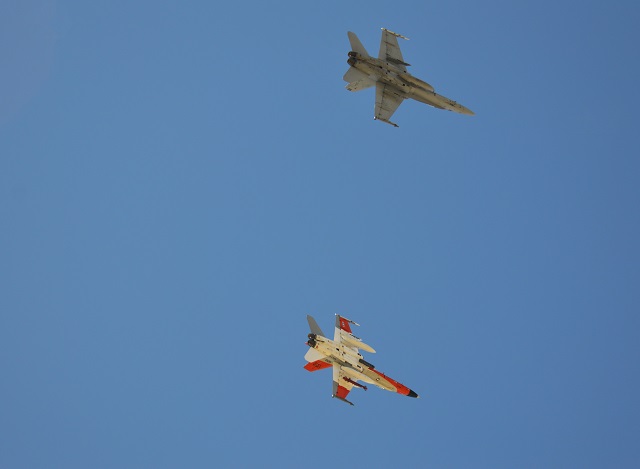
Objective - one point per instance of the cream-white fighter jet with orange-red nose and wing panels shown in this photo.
(342, 354)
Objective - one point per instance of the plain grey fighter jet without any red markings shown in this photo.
(392, 81)
